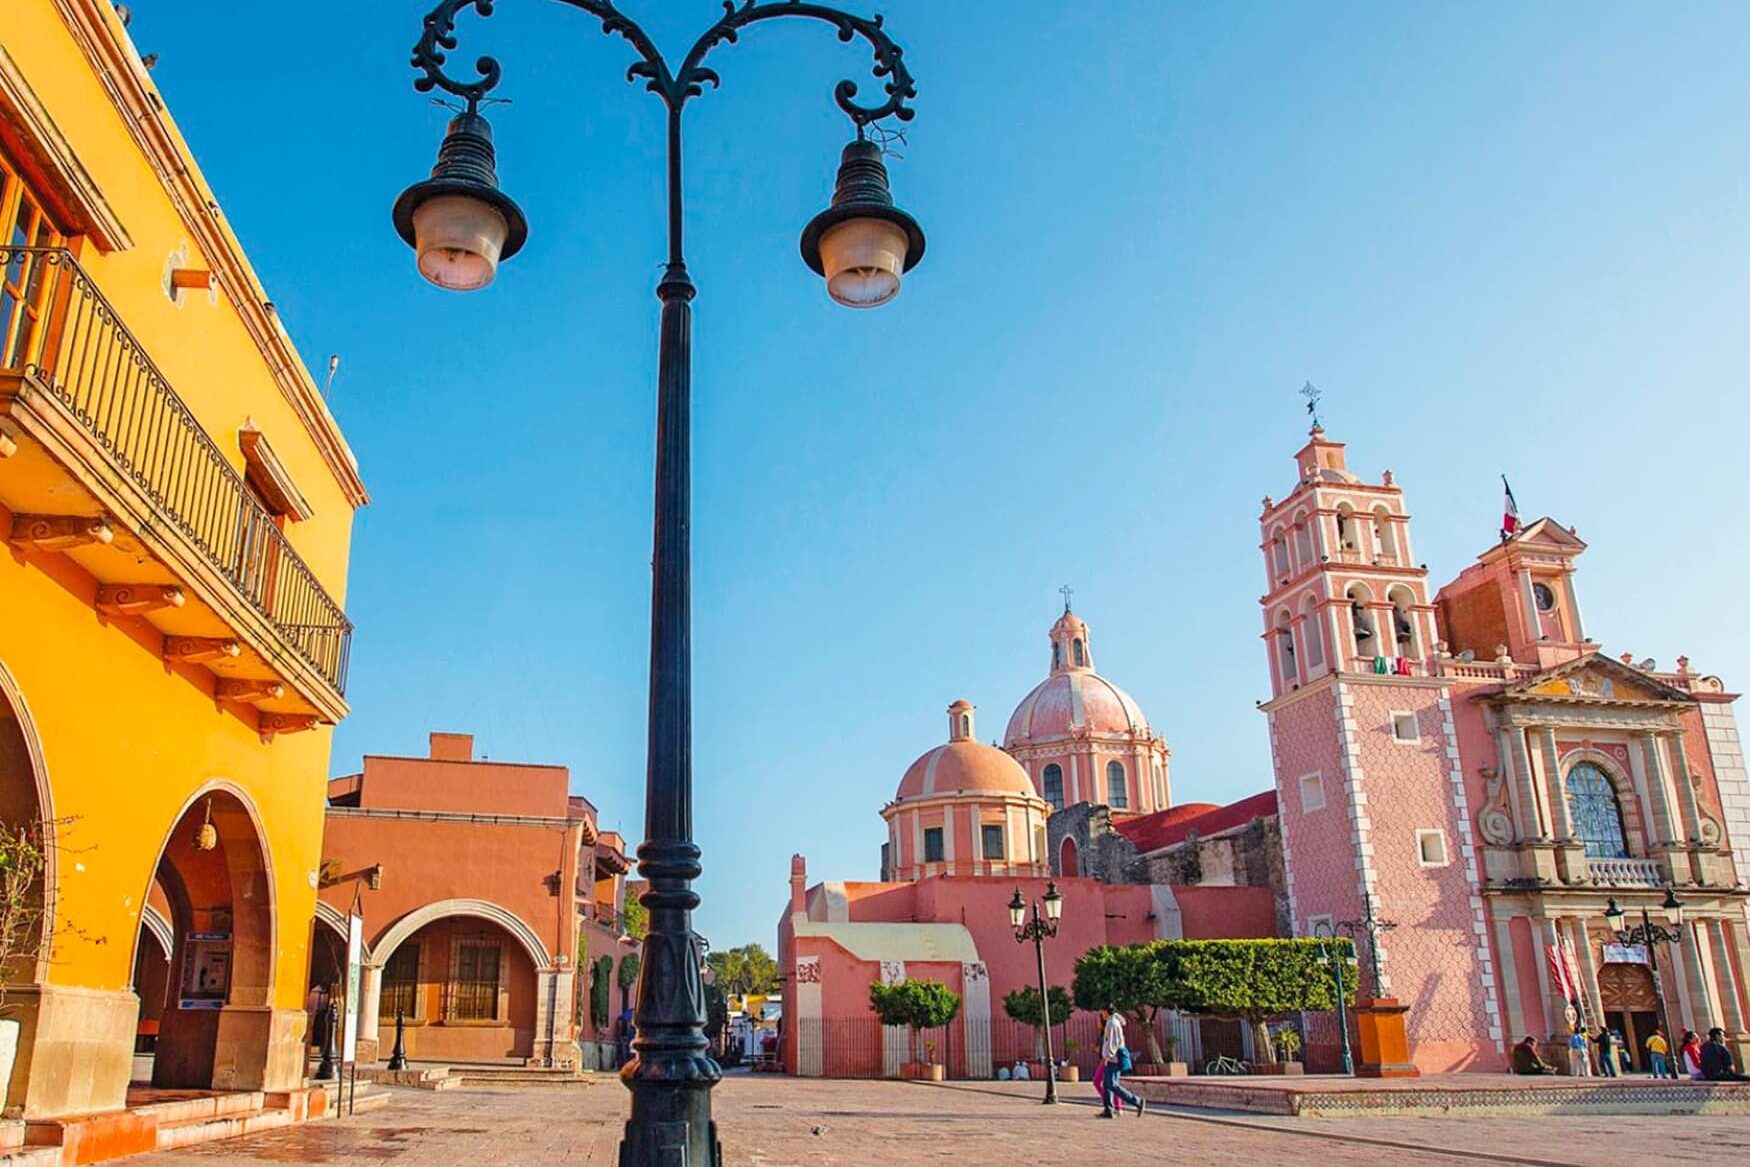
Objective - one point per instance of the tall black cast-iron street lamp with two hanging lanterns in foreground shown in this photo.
(463, 227)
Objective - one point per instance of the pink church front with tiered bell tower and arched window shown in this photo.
(1490, 781)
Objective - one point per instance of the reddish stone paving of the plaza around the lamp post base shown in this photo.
(776, 1122)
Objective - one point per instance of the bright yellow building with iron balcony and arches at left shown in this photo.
(178, 510)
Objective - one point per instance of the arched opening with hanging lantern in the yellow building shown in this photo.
(216, 891)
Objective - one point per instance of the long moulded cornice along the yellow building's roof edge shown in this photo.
(101, 36)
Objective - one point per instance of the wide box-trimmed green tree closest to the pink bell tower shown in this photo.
(1252, 981)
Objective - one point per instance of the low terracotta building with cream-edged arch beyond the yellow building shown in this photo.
(486, 888)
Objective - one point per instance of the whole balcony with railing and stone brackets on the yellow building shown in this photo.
(102, 463)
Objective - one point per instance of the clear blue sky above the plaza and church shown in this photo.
(1501, 237)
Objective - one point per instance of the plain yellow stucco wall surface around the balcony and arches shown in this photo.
(129, 743)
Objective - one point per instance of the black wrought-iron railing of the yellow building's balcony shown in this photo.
(59, 332)
